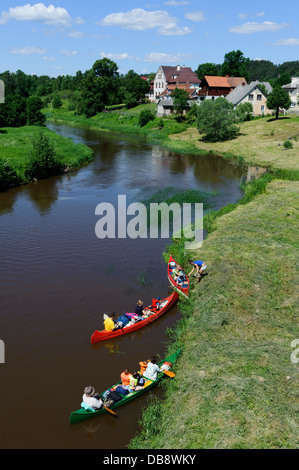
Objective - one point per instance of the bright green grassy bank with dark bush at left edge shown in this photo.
(16, 146)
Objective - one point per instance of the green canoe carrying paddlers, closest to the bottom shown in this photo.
(82, 414)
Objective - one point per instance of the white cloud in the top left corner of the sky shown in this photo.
(39, 12)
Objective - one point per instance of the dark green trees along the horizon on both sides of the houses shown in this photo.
(90, 92)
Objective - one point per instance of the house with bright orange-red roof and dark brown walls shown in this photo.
(212, 86)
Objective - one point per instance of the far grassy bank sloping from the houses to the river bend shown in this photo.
(259, 142)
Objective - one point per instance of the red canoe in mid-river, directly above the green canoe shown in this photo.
(166, 303)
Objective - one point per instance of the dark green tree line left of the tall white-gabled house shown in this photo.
(87, 93)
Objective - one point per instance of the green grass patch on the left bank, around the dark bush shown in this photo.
(15, 144)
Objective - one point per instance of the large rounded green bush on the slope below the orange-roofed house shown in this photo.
(216, 119)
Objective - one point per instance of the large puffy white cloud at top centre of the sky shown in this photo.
(140, 20)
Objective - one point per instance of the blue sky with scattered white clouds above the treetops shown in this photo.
(61, 37)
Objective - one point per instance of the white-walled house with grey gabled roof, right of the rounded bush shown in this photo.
(250, 94)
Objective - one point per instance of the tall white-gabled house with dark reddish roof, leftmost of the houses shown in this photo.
(173, 75)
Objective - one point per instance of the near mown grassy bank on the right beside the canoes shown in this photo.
(235, 384)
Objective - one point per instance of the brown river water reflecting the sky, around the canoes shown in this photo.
(57, 278)
